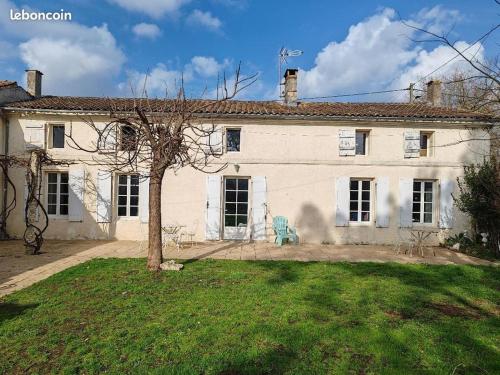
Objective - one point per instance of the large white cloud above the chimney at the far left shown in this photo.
(75, 59)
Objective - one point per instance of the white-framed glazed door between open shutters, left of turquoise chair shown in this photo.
(235, 208)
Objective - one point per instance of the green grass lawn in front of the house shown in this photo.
(232, 317)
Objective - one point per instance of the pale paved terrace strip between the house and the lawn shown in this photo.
(18, 270)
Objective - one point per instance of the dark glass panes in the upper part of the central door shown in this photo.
(235, 202)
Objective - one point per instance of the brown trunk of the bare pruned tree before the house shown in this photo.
(155, 257)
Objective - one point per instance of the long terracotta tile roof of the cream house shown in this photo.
(257, 108)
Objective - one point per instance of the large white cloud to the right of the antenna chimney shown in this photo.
(378, 54)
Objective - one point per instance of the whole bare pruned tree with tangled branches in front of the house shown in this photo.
(157, 135)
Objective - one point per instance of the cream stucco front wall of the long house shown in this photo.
(300, 161)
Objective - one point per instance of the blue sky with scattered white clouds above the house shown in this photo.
(110, 46)
